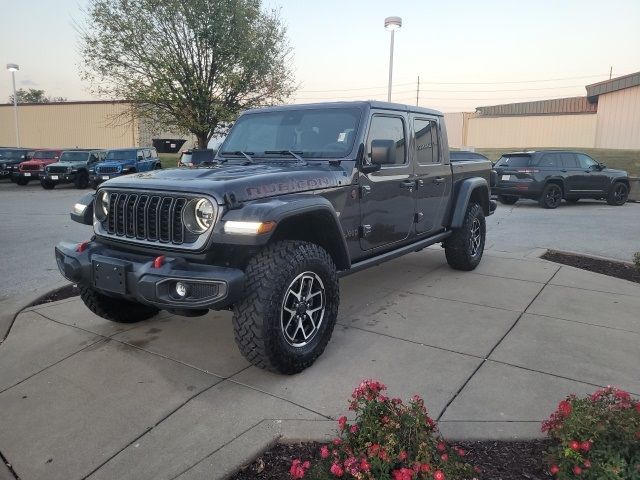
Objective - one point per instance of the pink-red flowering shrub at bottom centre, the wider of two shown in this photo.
(388, 440)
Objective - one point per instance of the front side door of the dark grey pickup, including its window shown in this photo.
(387, 202)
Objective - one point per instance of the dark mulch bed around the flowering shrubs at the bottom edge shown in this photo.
(497, 460)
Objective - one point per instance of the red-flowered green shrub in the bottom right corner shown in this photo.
(597, 437)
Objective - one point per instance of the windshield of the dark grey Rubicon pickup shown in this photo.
(311, 133)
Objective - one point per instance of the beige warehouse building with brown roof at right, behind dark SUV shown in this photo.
(607, 117)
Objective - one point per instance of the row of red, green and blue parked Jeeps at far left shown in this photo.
(82, 167)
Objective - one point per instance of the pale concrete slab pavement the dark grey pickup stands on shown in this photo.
(491, 351)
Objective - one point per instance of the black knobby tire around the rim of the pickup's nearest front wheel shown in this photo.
(257, 317)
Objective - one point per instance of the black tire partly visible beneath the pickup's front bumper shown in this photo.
(115, 309)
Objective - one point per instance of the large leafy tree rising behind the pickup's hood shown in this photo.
(191, 64)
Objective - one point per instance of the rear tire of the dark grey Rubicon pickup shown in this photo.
(459, 248)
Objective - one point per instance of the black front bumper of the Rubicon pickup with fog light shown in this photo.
(133, 277)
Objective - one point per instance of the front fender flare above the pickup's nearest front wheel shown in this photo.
(280, 210)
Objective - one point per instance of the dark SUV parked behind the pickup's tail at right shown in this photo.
(551, 175)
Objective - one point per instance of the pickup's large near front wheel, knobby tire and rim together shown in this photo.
(287, 316)
